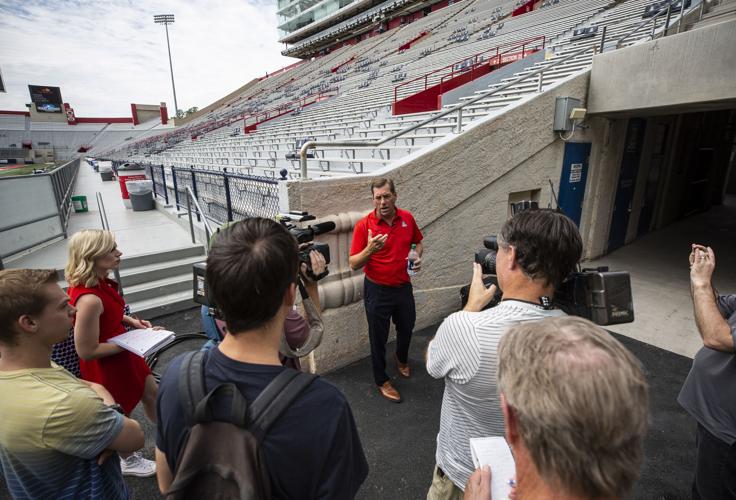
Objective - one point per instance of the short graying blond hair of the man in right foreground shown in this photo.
(581, 400)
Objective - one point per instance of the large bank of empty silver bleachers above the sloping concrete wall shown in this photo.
(363, 78)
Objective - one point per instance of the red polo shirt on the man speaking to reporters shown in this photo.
(388, 265)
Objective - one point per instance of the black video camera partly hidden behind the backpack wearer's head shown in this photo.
(303, 236)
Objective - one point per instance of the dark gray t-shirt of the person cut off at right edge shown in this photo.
(709, 392)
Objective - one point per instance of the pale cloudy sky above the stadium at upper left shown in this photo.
(106, 54)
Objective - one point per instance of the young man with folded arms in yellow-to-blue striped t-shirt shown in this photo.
(58, 433)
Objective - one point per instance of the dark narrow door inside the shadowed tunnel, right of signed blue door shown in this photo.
(626, 183)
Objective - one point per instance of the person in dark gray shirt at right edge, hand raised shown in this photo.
(706, 393)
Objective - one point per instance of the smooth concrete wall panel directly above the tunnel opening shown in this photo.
(689, 71)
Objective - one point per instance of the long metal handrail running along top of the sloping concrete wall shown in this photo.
(459, 107)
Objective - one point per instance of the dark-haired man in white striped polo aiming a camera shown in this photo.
(537, 249)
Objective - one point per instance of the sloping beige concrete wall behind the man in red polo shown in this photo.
(458, 192)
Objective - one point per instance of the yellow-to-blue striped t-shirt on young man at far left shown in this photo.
(52, 428)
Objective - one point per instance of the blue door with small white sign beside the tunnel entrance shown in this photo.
(572, 181)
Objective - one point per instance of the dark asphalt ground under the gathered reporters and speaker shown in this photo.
(399, 439)
